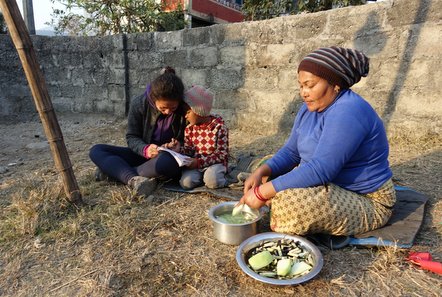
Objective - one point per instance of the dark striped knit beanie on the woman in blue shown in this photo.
(339, 66)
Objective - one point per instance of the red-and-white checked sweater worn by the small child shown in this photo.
(208, 143)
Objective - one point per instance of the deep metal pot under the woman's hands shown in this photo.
(232, 234)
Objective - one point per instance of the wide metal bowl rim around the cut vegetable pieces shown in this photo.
(256, 240)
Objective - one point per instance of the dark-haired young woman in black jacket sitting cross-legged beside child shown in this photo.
(155, 118)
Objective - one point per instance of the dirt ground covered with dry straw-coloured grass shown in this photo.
(163, 246)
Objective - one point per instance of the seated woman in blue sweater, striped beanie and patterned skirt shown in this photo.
(332, 176)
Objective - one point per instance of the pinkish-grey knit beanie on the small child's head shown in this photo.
(200, 100)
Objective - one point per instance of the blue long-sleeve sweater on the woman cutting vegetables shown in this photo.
(345, 144)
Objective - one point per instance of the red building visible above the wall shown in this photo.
(200, 13)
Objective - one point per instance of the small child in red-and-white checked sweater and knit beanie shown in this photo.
(205, 140)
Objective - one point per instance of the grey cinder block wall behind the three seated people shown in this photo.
(250, 66)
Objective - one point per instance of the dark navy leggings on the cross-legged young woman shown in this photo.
(121, 163)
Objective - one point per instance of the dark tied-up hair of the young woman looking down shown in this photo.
(167, 86)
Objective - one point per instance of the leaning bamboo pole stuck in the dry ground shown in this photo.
(37, 84)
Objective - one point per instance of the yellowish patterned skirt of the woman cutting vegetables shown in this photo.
(330, 209)
